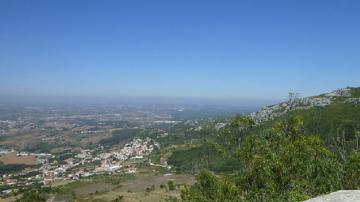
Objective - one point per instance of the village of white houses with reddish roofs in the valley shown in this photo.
(48, 171)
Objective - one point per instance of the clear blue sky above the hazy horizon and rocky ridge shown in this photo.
(178, 48)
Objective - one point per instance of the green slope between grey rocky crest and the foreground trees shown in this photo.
(336, 124)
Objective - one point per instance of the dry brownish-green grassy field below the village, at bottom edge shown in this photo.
(131, 188)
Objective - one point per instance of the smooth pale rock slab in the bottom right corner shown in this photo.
(339, 196)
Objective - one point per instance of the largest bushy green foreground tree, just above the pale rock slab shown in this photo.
(290, 166)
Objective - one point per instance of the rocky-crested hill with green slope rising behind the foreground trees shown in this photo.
(334, 116)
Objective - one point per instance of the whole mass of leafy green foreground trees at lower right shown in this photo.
(281, 163)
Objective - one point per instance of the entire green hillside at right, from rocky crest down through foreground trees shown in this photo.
(295, 151)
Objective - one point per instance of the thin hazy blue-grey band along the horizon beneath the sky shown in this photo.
(244, 103)
